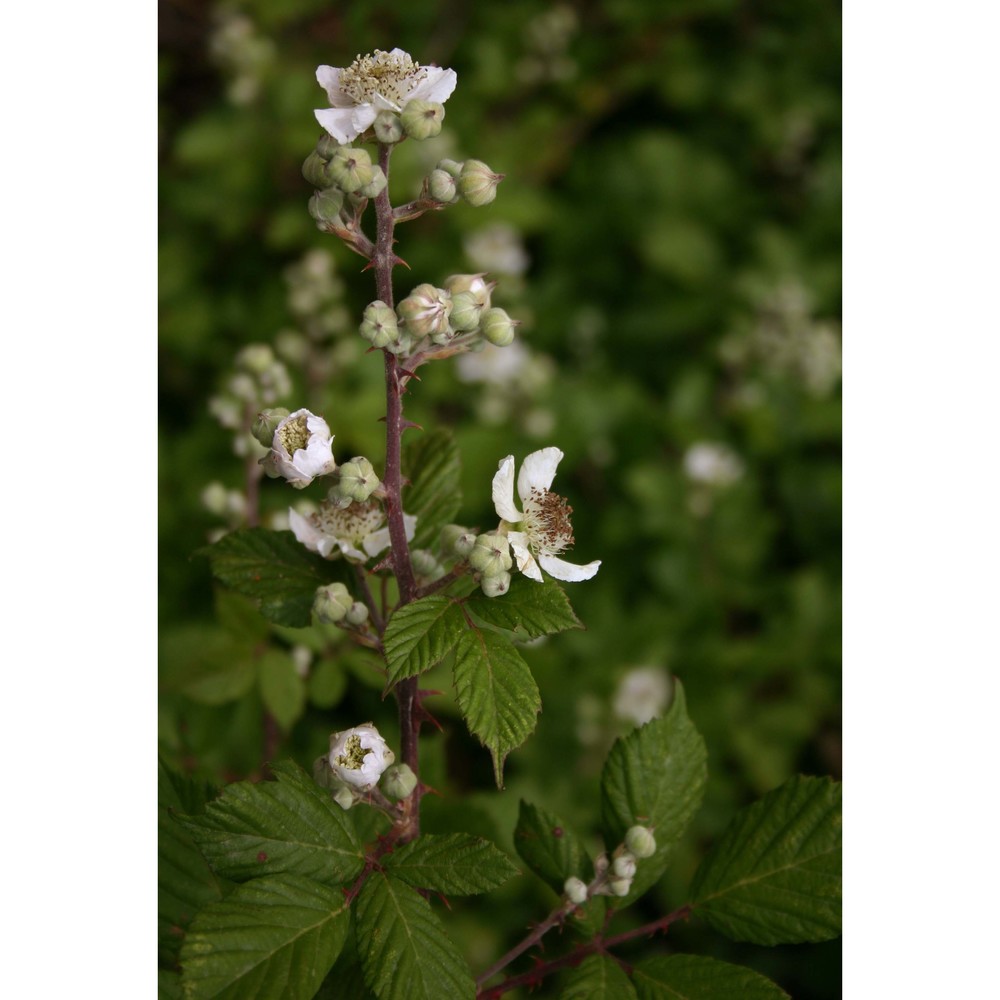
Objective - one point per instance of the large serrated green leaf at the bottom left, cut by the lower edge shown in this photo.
(271, 939)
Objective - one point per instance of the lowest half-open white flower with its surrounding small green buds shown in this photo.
(360, 767)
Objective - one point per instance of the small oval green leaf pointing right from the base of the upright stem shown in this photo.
(453, 863)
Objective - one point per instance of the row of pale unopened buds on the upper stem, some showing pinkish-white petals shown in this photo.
(459, 316)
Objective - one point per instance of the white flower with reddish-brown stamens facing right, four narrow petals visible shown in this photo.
(545, 528)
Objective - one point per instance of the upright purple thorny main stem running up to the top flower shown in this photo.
(406, 691)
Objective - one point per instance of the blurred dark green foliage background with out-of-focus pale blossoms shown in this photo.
(668, 232)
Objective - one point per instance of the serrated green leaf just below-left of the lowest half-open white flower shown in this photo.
(288, 825)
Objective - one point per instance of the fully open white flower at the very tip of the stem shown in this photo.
(383, 81)
